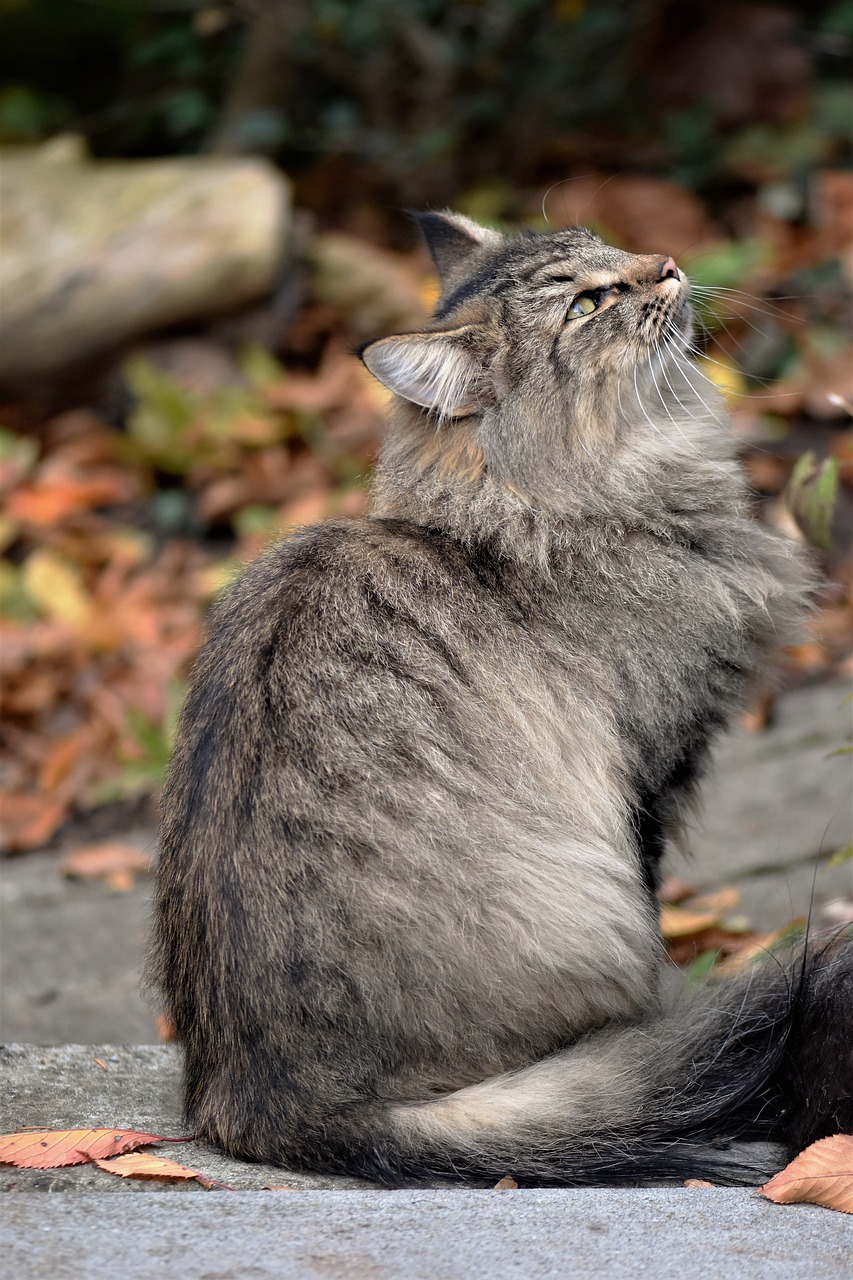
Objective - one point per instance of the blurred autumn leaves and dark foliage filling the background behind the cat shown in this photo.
(134, 490)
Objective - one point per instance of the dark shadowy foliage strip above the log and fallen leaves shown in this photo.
(426, 100)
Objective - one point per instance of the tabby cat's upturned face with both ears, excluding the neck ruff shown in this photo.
(540, 319)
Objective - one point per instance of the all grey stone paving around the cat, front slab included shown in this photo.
(776, 807)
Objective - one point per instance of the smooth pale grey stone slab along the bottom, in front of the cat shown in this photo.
(426, 1236)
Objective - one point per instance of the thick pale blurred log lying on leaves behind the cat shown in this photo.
(95, 254)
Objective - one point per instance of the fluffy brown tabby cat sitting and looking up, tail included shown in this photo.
(431, 760)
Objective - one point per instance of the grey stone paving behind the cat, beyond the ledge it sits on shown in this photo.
(777, 802)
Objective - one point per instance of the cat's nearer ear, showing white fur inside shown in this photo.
(436, 371)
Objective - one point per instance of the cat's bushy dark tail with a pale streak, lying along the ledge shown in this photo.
(700, 1091)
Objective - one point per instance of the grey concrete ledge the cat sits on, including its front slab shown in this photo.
(107, 1226)
